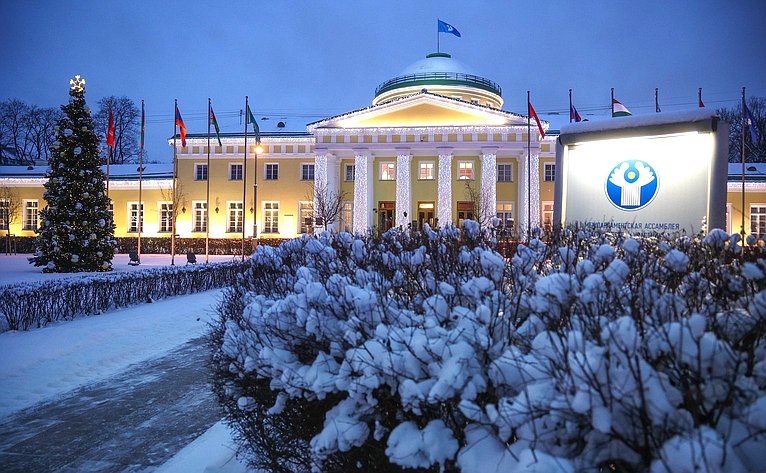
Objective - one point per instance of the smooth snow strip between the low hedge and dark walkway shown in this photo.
(40, 364)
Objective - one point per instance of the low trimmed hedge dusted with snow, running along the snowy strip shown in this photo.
(27, 305)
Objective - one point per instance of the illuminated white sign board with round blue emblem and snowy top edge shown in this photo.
(643, 175)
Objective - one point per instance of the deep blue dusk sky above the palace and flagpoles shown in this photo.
(300, 61)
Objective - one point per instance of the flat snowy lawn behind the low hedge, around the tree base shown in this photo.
(16, 268)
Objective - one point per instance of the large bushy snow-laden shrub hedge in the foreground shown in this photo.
(596, 353)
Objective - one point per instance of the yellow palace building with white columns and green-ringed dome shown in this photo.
(434, 146)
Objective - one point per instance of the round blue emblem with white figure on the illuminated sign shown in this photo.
(631, 185)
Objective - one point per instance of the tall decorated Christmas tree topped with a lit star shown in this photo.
(76, 228)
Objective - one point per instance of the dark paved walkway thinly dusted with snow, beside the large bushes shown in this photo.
(134, 421)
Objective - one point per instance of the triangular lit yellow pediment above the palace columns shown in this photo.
(424, 110)
